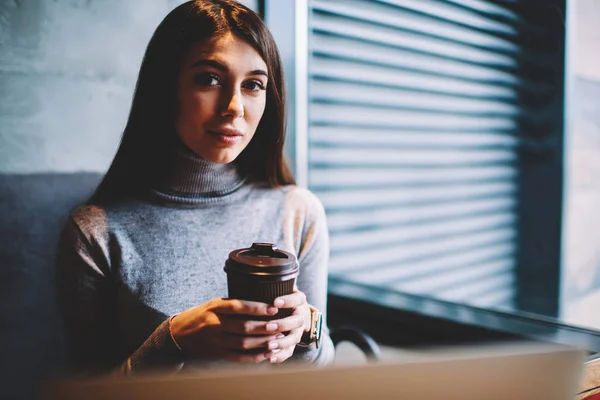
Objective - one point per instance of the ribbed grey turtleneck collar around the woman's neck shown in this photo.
(188, 178)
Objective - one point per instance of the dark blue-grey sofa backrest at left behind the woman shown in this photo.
(33, 209)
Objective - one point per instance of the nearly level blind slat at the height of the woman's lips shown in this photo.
(333, 136)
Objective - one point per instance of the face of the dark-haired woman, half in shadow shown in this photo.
(221, 97)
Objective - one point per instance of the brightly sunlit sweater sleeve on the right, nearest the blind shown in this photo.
(313, 257)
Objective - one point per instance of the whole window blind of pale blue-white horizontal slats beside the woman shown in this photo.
(413, 119)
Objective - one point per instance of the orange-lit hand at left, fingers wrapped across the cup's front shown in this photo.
(215, 330)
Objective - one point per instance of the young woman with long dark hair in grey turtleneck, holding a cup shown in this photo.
(199, 172)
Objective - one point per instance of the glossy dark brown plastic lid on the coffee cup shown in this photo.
(262, 259)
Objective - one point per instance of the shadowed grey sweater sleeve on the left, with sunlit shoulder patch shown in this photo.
(87, 301)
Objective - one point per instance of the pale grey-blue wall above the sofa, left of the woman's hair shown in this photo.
(67, 73)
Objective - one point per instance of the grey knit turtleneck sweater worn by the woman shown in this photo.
(124, 269)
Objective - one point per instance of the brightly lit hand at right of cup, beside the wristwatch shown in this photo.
(282, 349)
